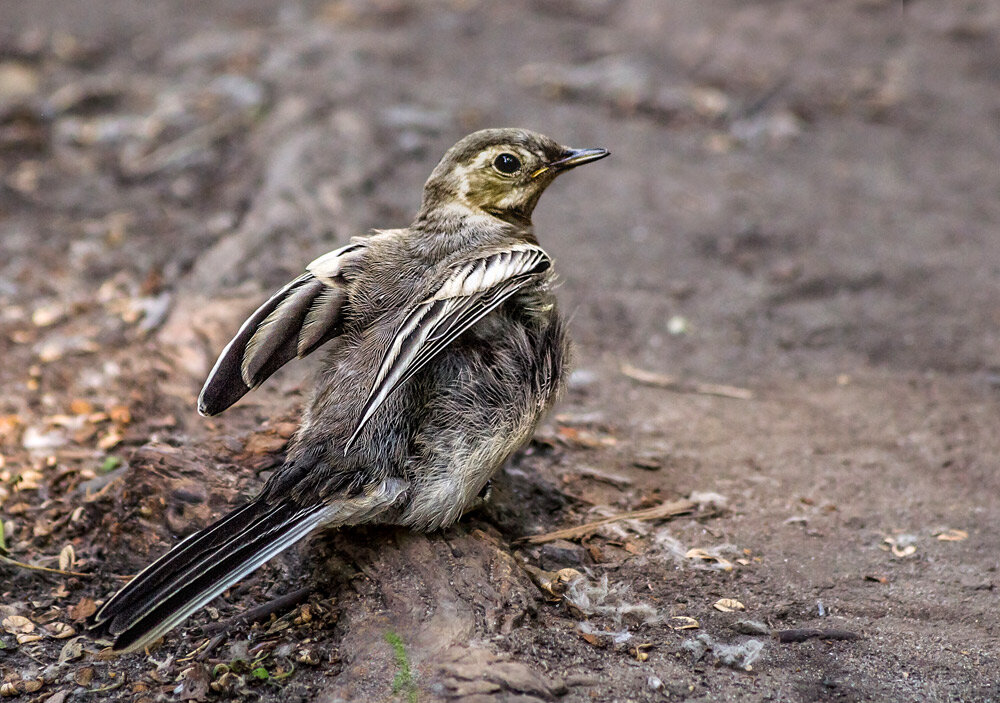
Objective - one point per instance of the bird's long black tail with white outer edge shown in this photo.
(200, 568)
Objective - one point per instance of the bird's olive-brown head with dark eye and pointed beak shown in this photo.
(501, 172)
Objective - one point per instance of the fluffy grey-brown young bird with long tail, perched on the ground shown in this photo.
(445, 349)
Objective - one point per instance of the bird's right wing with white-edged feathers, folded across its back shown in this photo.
(469, 292)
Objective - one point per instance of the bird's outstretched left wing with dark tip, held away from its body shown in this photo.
(296, 320)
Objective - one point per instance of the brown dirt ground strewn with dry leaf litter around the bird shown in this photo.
(802, 202)
